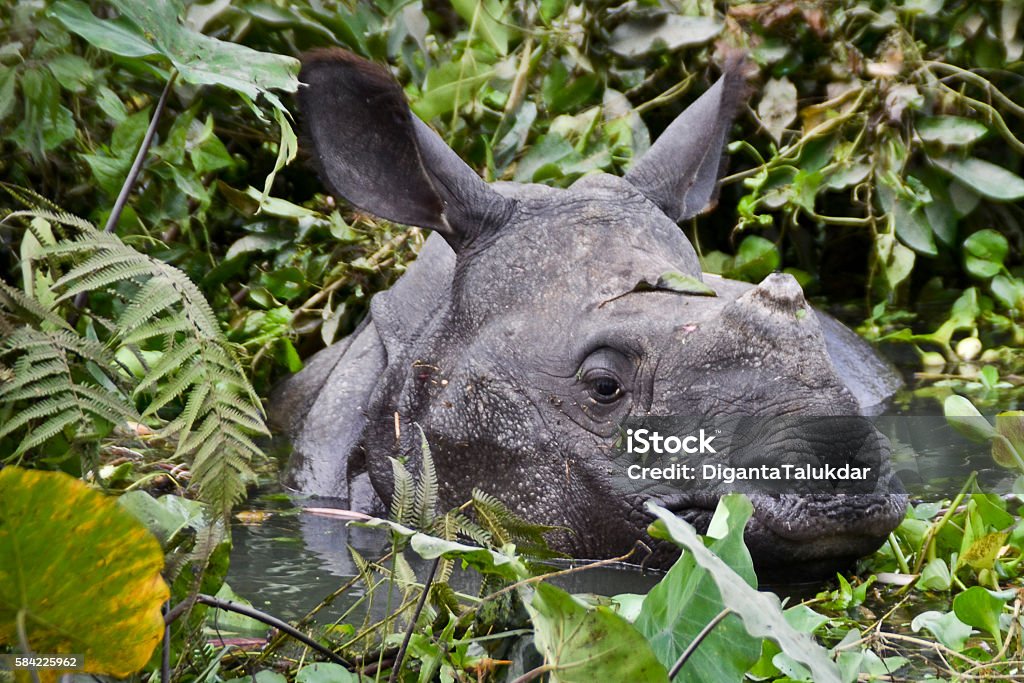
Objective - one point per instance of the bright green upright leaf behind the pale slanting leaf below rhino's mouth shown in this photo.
(689, 599)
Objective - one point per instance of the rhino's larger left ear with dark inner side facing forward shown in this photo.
(376, 154)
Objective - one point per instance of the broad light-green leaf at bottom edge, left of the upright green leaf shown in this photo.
(583, 645)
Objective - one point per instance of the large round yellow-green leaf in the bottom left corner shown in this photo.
(82, 571)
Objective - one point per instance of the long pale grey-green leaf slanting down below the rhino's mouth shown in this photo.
(760, 613)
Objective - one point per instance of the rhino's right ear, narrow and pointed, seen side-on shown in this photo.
(680, 173)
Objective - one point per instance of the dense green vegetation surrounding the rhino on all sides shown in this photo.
(146, 309)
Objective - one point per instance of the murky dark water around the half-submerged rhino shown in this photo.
(286, 562)
